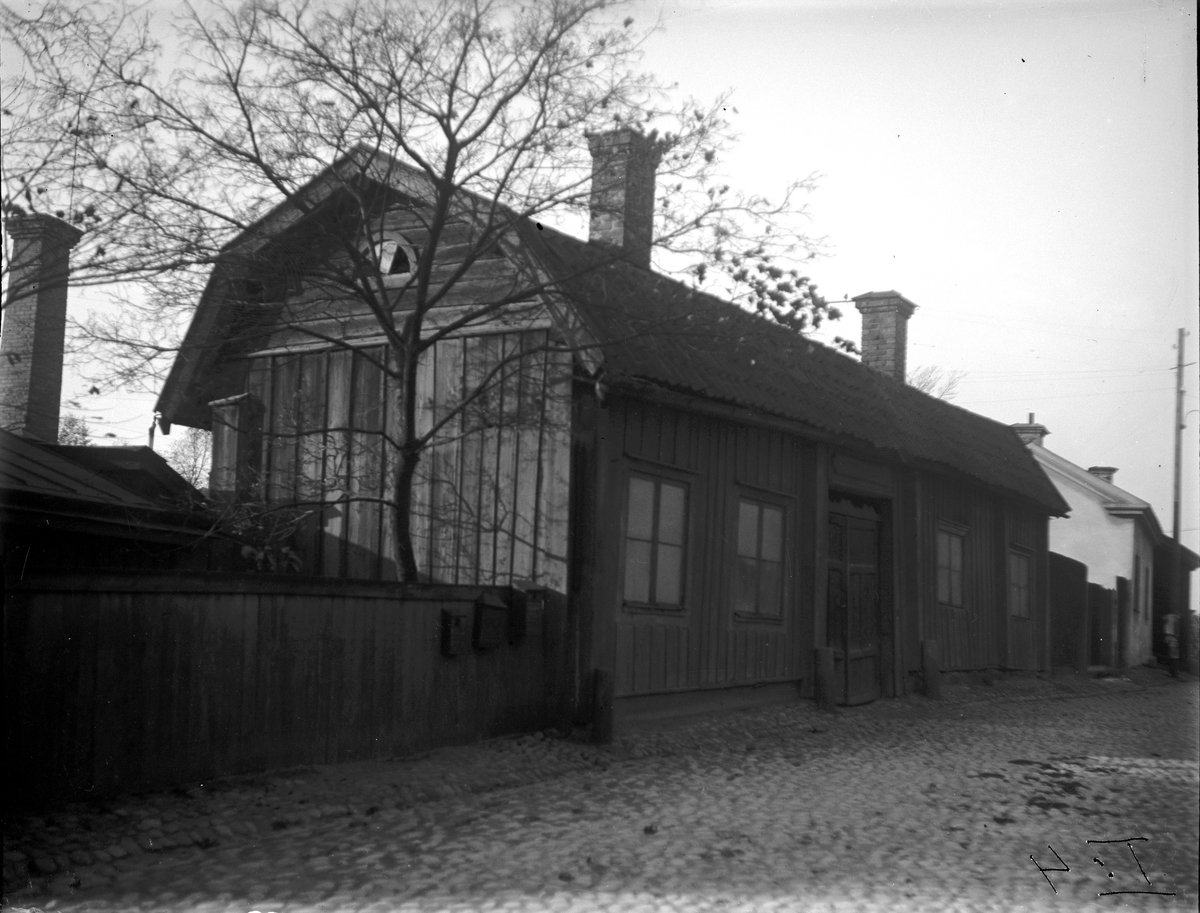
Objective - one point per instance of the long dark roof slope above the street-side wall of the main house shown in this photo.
(656, 329)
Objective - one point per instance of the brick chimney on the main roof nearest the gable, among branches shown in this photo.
(623, 167)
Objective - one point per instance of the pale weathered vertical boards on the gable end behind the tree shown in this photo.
(491, 495)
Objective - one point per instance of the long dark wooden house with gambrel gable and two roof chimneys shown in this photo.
(719, 497)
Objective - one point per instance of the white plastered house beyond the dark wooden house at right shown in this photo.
(1117, 536)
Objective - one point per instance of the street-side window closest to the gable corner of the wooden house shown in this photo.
(655, 542)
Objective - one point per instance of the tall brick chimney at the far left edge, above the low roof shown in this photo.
(35, 317)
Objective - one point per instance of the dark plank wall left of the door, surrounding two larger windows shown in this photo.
(706, 646)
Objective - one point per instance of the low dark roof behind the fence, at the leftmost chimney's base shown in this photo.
(131, 491)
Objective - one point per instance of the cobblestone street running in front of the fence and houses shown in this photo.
(909, 806)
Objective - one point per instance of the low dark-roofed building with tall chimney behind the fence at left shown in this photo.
(69, 508)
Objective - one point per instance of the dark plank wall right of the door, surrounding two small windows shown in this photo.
(982, 634)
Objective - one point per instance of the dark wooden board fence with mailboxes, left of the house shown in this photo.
(129, 682)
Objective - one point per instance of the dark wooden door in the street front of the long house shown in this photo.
(853, 623)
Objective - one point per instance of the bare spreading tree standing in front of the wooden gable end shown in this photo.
(292, 131)
